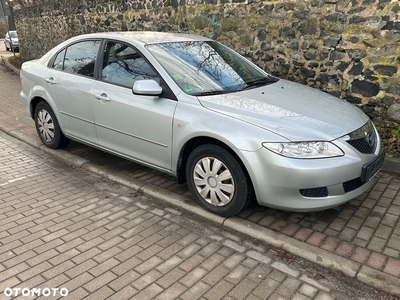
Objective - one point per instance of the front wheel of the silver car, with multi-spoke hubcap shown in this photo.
(204, 170)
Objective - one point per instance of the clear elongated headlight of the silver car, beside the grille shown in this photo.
(303, 150)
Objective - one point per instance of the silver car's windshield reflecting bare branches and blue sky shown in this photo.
(208, 67)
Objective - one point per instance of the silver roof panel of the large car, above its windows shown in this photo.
(147, 37)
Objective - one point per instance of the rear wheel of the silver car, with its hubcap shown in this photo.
(47, 127)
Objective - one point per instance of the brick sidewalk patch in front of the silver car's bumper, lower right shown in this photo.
(366, 229)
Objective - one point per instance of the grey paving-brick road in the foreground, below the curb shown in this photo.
(73, 235)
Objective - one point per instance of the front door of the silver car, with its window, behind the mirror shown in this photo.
(136, 126)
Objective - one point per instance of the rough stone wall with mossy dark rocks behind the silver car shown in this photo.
(349, 48)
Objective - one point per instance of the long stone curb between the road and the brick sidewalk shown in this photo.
(369, 276)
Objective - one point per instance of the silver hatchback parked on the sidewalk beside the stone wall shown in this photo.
(191, 107)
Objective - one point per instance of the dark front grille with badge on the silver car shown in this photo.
(364, 139)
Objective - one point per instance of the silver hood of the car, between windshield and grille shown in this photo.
(293, 111)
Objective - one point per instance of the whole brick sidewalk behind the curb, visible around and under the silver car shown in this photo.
(366, 230)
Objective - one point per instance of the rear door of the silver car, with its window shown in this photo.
(69, 82)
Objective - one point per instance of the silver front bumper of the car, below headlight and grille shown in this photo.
(311, 184)
